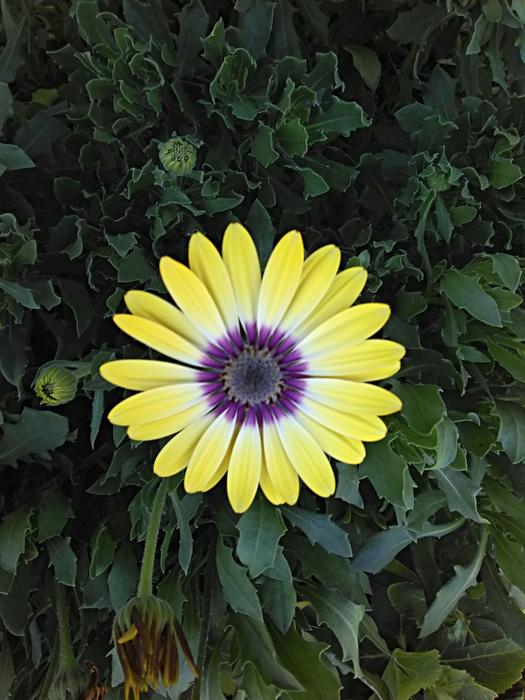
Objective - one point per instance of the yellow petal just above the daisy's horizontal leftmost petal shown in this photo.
(159, 338)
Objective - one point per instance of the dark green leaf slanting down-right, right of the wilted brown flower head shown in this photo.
(256, 646)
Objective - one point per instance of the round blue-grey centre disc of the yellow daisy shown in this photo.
(253, 377)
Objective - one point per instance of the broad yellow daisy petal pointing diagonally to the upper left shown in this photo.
(192, 297)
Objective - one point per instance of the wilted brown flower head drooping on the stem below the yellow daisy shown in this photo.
(148, 637)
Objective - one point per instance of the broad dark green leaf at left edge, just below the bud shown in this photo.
(35, 432)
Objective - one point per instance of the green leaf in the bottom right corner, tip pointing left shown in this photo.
(496, 664)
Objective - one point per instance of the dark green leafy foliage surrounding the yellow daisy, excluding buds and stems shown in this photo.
(395, 130)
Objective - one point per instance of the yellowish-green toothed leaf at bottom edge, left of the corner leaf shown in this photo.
(408, 672)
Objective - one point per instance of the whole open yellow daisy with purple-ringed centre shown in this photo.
(269, 371)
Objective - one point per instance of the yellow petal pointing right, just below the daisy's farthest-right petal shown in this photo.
(352, 397)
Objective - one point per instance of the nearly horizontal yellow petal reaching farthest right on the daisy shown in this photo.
(372, 357)
